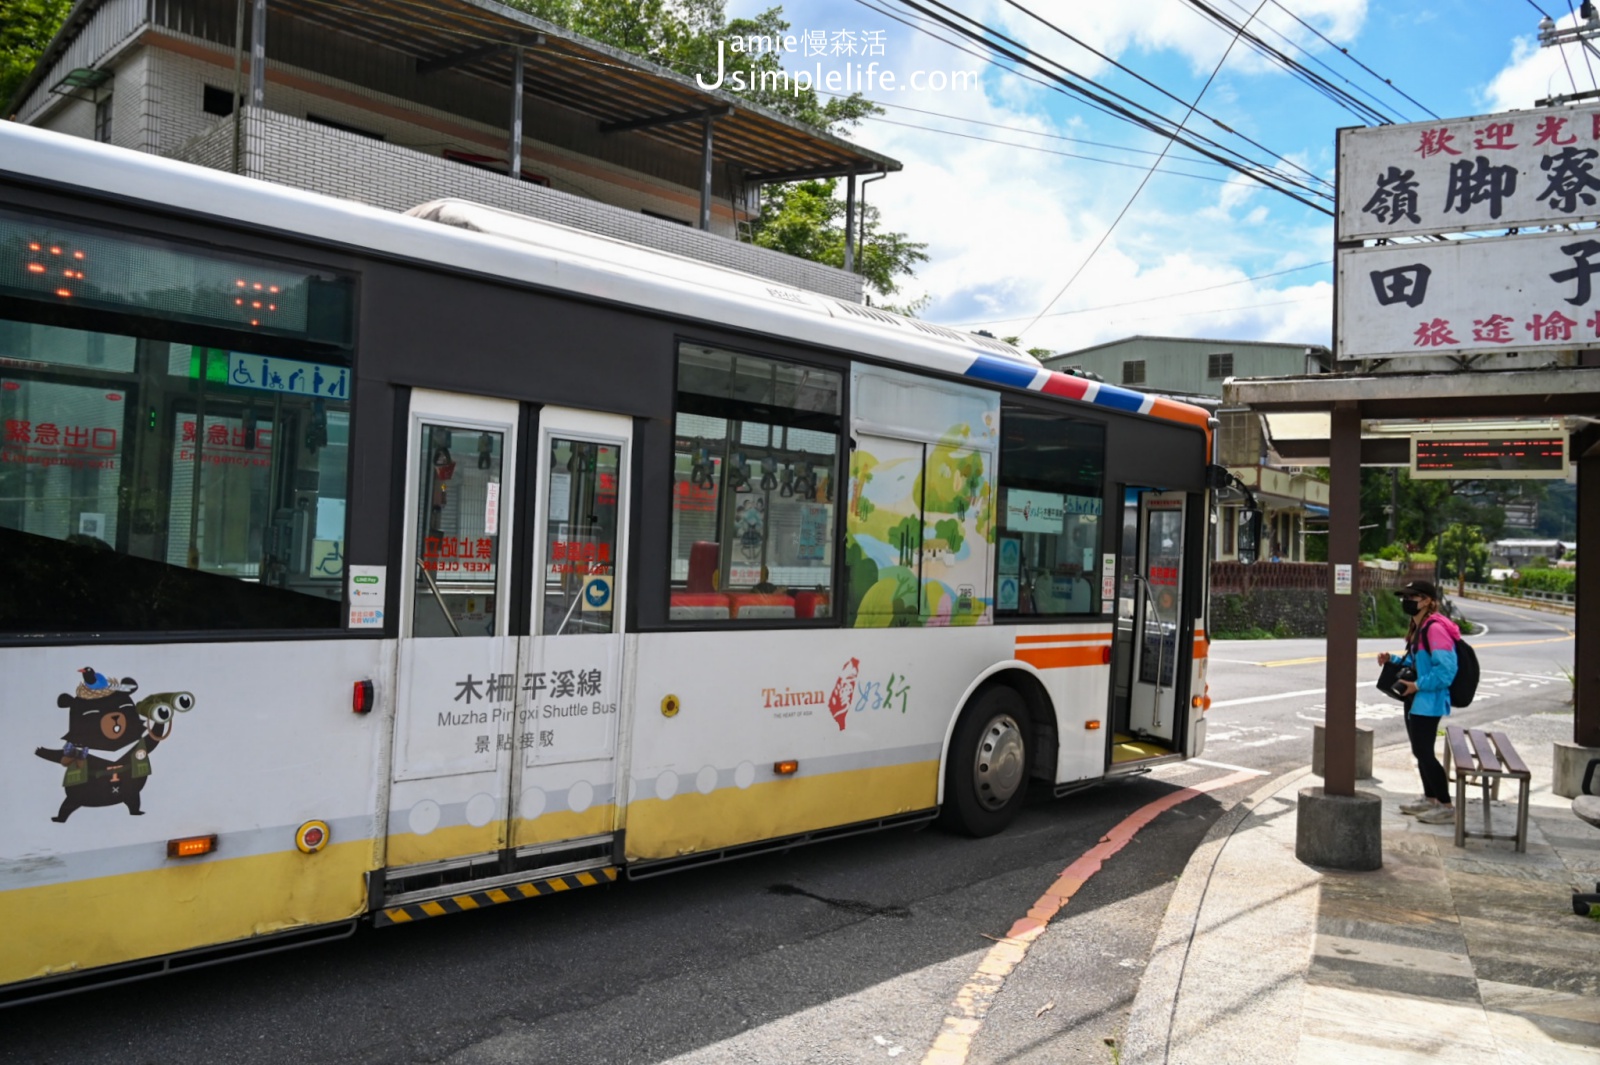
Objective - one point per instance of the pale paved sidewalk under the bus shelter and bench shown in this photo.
(1446, 955)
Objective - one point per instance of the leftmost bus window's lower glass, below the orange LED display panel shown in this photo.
(148, 485)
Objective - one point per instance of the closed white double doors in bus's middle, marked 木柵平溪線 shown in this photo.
(505, 749)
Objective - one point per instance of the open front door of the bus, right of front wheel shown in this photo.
(1153, 655)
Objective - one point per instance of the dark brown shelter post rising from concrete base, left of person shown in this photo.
(1345, 521)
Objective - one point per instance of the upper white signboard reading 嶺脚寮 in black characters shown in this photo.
(1463, 175)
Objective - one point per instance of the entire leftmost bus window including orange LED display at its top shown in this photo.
(150, 484)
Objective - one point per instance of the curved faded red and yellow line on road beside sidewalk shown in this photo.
(974, 1002)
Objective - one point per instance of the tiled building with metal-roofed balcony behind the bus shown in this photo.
(394, 105)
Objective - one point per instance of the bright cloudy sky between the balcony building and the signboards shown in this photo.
(1007, 228)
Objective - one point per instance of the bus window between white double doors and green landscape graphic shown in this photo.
(754, 489)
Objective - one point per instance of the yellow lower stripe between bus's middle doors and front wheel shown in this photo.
(689, 824)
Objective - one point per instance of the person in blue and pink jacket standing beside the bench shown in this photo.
(1431, 652)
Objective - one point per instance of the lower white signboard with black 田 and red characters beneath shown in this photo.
(1514, 293)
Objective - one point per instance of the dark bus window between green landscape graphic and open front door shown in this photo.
(1050, 508)
